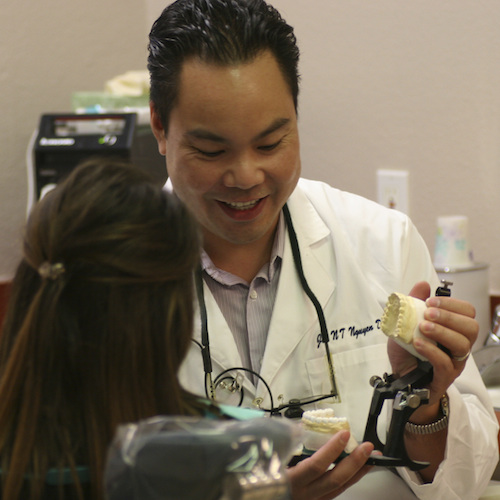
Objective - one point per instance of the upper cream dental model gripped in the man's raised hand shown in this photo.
(400, 320)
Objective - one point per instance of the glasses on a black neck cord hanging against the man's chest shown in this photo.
(227, 387)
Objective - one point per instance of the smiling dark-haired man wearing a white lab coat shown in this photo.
(224, 89)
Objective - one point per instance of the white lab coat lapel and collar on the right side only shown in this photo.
(294, 313)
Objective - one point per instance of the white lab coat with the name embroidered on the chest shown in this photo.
(354, 254)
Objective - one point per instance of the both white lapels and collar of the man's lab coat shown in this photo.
(286, 329)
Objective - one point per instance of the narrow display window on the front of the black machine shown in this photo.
(73, 126)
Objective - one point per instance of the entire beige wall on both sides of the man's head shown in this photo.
(386, 84)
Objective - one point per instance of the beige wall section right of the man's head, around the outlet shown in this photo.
(406, 85)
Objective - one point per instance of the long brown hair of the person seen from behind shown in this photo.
(99, 321)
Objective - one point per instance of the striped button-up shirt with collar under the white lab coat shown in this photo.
(246, 307)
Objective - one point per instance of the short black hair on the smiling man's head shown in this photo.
(222, 32)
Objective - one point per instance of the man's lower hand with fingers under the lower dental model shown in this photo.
(311, 479)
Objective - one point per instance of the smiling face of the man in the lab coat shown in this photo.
(232, 148)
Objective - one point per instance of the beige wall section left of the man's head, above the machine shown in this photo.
(48, 50)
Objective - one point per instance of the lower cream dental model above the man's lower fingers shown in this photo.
(320, 425)
